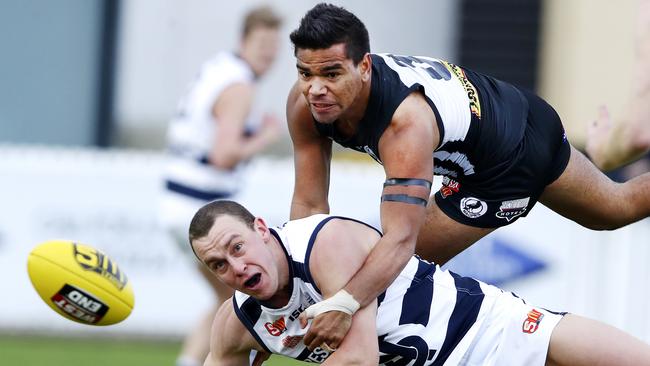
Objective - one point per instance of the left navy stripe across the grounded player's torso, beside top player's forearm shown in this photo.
(420, 292)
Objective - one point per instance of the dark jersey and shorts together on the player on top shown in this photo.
(499, 146)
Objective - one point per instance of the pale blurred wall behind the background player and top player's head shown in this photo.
(163, 42)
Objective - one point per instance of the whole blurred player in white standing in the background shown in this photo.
(210, 139)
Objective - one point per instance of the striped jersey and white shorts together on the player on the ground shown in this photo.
(426, 317)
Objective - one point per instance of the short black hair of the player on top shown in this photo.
(326, 25)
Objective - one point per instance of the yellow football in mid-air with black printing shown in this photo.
(80, 282)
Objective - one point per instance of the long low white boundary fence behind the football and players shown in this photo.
(109, 199)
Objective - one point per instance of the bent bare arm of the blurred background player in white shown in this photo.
(231, 110)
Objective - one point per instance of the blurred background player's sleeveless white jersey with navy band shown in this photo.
(192, 132)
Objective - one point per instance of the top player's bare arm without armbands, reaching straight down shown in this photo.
(312, 156)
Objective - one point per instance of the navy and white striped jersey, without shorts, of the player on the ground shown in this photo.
(426, 317)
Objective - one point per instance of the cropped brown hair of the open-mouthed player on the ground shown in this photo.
(205, 217)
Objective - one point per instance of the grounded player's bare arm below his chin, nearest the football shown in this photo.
(230, 343)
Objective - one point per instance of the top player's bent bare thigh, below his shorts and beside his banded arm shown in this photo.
(441, 237)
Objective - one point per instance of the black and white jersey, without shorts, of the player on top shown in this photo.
(481, 120)
